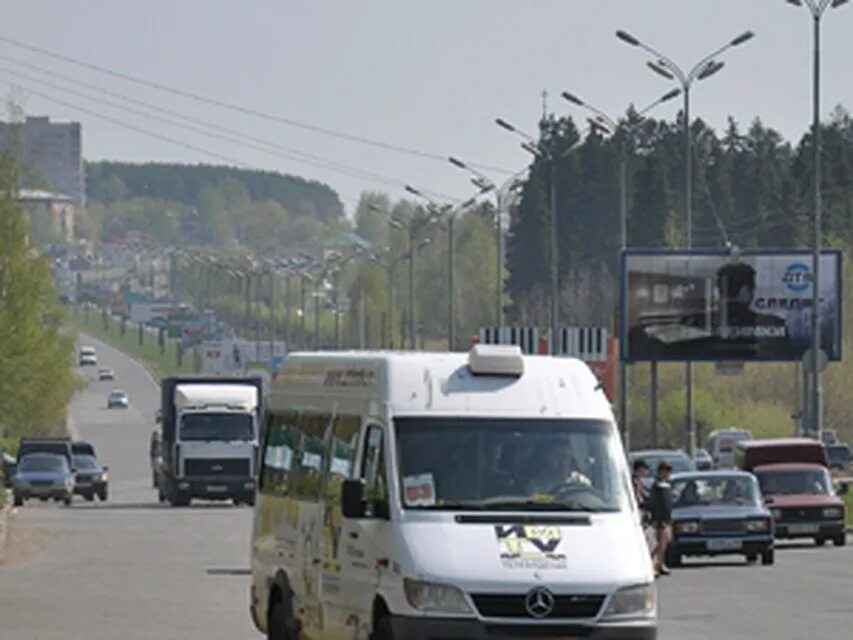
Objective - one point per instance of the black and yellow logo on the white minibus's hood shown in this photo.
(531, 547)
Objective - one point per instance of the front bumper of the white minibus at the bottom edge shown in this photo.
(412, 628)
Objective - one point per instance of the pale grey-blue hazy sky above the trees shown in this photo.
(430, 77)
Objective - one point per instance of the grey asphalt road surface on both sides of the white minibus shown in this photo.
(132, 569)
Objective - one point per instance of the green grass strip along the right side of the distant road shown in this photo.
(163, 363)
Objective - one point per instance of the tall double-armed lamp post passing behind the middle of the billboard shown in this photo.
(705, 68)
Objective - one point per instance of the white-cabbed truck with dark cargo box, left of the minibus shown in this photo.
(209, 439)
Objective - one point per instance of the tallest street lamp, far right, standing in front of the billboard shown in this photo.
(817, 9)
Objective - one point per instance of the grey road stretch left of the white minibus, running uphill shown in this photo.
(128, 568)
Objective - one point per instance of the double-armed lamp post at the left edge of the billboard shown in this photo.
(604, 123)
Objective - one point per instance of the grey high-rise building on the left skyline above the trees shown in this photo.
(52, 156)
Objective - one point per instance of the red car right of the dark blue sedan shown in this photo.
(802, 501)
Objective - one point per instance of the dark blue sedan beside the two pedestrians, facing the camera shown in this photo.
(720, 513)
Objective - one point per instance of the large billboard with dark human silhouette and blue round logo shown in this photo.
(716, 306)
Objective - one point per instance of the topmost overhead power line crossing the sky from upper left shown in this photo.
(239, 108)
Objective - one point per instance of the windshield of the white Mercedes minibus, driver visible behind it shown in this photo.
(481, 464)
